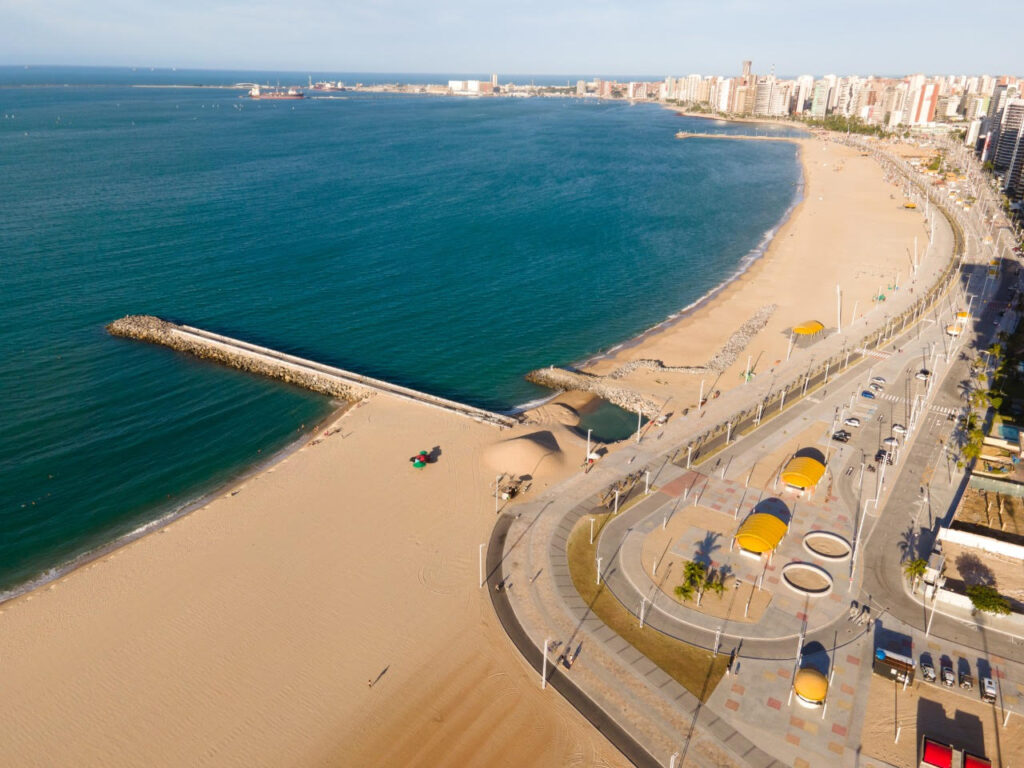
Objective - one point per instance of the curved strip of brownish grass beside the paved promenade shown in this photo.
(696, 669)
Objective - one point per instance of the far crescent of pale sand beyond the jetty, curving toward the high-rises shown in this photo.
(850, 230)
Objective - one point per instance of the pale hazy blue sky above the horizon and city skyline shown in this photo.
(652, 37)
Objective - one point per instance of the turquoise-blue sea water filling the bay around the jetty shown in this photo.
(447, 244)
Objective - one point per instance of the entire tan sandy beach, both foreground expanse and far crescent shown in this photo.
(327, 612)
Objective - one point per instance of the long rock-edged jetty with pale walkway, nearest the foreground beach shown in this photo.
(283, 367)
